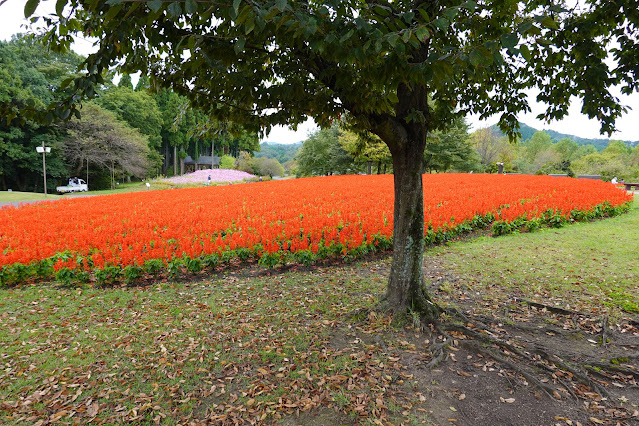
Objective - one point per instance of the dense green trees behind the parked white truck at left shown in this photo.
(124, 132)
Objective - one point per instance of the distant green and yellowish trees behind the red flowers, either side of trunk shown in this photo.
(337, 150)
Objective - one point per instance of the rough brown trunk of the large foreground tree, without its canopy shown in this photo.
(406, 288)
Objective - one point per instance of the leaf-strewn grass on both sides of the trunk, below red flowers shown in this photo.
(264, 347)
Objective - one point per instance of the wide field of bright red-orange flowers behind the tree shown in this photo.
(316, 217)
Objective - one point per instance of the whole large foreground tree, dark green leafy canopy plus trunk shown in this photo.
(399, 69)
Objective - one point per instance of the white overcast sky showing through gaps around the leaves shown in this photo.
(12, 21)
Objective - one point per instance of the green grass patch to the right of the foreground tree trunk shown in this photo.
(587, 266)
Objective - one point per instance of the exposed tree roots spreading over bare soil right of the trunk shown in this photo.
(526, 357)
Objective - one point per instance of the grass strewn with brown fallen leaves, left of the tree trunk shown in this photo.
(231, 349)
